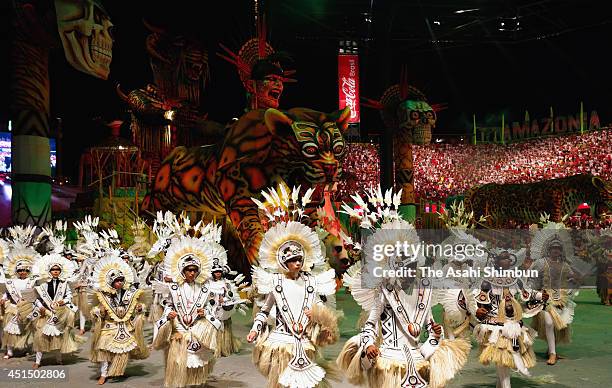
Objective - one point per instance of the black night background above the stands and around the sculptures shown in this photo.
(558, 57)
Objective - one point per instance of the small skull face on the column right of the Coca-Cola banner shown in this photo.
(417, 119)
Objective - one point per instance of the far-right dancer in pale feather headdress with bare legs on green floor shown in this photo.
(552, 251)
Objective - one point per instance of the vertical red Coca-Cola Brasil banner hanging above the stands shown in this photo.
(348, 84)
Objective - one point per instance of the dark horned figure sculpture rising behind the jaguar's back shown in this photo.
(166, 113)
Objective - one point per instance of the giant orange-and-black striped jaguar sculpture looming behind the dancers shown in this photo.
(262, 149)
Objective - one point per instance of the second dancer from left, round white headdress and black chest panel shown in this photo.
(55, 313)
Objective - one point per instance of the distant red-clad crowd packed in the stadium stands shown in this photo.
(442, 170)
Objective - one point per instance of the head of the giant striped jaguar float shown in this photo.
(311, 142)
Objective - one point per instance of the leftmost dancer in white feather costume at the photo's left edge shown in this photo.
(17, 333)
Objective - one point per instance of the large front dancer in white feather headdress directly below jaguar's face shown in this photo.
(287, 255)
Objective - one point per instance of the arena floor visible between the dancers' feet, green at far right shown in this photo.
(586, 361)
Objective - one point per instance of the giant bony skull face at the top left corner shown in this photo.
(85, 31)
